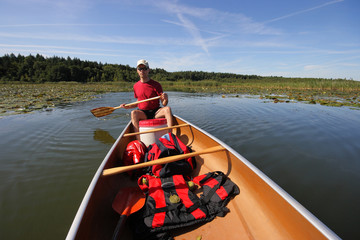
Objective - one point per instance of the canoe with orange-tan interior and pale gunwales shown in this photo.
(262, 210)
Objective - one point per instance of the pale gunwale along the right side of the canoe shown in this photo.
(327, 232)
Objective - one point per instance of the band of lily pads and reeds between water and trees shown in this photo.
(21, 98)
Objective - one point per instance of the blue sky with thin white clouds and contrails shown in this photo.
(290, 38)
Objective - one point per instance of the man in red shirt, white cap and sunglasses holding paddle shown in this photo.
(147, 88)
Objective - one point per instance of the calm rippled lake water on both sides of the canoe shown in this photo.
(48, 158)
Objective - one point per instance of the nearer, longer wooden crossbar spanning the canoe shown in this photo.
(160, 161)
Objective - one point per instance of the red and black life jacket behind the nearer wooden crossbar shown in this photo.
(169, 145)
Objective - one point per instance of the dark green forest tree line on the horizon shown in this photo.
(38, 69)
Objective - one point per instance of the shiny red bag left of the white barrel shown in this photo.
(134, 153)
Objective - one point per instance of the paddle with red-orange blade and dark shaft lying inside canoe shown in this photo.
(127, 201)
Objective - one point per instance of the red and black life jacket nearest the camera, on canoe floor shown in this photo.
(160, 214)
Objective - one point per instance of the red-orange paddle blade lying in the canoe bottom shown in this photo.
(128, 200)
